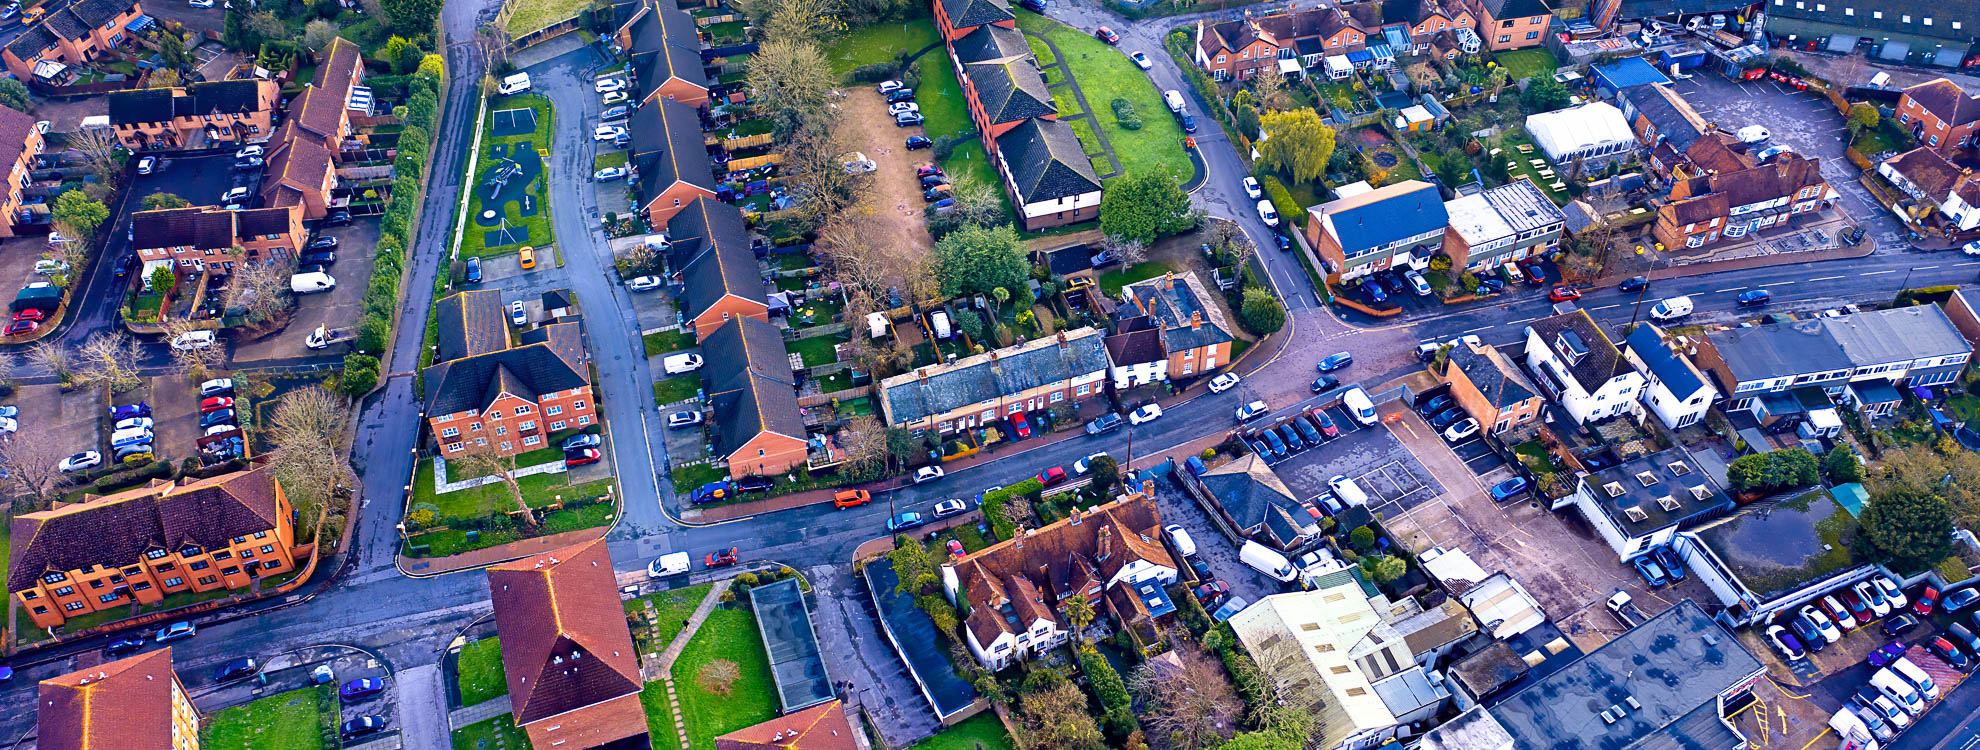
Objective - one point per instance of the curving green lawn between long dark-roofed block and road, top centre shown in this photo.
(1104, 74)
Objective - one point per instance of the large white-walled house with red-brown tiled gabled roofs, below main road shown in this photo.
(1017, 591)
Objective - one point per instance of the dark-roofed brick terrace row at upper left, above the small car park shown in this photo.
(199, 116)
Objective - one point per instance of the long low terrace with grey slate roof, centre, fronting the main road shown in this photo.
(983, 389)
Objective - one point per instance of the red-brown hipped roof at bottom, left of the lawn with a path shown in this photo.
(559, 616)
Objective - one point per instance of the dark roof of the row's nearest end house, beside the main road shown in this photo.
(749, 383)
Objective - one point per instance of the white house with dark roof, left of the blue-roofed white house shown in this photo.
(1583, 371)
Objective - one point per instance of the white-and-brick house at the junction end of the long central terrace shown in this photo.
(1193, 329)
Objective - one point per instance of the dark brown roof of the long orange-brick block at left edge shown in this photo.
(118, 529)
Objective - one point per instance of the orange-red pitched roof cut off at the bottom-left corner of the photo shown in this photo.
(124, 703)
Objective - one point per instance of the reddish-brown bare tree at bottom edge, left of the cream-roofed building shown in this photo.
(1189, 705)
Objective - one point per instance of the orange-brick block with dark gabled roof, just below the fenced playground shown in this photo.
(488, 393)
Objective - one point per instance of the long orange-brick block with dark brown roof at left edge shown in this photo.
(148, 543)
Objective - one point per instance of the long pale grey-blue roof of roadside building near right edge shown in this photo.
(1825, 345)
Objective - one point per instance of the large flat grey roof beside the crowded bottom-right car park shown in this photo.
(1672, 666)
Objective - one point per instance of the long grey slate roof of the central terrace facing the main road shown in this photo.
(993, 375)
